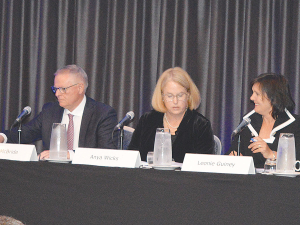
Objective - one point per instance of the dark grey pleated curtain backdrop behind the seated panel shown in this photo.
(124, 45)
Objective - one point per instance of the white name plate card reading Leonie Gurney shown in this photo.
(218, 164)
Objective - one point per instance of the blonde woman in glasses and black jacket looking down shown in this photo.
(175, 100)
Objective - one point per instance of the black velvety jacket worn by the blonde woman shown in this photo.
(194, 135)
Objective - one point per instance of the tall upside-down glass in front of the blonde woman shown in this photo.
(162, 147)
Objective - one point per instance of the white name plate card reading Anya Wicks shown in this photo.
(107, 157)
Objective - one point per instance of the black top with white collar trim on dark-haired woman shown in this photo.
(285, 123)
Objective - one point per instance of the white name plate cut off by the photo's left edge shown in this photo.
(18, 152)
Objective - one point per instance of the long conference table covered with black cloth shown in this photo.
(63, 193)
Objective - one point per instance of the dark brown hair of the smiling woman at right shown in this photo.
(277, 90)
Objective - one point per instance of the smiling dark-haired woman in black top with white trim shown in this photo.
(271, 116)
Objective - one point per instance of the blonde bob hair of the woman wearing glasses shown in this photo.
(181, 77)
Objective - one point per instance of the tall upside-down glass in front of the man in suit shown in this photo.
(58, 142)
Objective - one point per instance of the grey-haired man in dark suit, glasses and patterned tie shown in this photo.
(92, 122)
